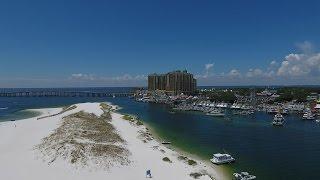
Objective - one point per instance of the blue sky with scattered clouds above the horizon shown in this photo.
(118, 43)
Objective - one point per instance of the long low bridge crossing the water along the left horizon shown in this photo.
(65, 94)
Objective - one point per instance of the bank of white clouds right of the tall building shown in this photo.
(294, 69)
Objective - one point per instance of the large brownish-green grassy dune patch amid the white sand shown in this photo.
(83, 136)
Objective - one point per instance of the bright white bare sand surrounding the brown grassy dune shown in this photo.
(19, 159)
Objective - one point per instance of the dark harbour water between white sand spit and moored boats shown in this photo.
(255, 131)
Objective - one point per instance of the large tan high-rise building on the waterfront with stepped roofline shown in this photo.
(175, 82)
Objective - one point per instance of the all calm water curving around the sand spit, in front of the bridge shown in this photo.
(289, 152)
